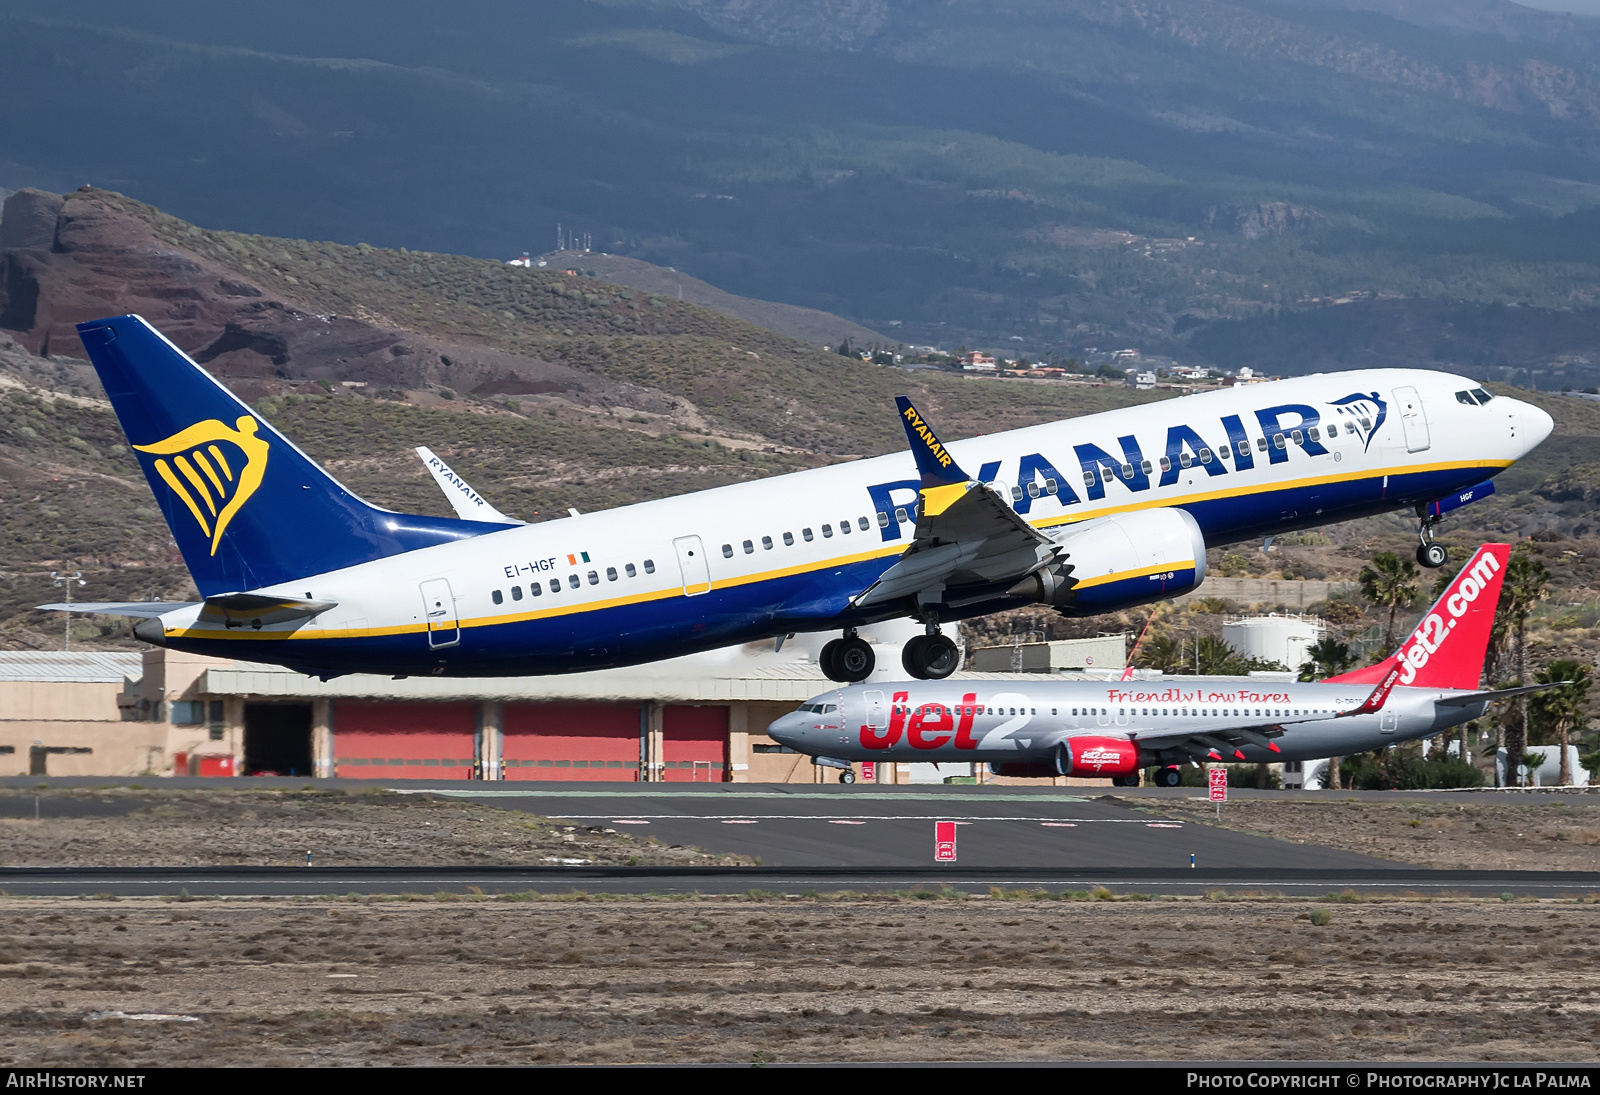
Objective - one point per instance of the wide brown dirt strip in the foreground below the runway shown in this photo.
(748, 981)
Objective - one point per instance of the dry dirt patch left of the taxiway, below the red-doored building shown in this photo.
(121, 827)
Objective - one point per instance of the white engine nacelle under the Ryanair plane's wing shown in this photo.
(1118, 563)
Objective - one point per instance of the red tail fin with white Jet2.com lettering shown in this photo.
(1447, 649)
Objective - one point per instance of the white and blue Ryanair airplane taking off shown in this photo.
(1089, 515)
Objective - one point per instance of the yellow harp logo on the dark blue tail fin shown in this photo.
(218, 470)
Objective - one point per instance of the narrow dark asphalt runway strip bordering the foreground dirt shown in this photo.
(793, 881)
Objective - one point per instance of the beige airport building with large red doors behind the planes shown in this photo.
(167, 713)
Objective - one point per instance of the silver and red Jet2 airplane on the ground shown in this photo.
(1118, 728)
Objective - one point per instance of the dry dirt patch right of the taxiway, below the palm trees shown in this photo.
(1534, 833)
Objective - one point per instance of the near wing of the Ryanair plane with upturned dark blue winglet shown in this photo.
(966, 535)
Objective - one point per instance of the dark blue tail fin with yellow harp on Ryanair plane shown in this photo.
(247, 508)
